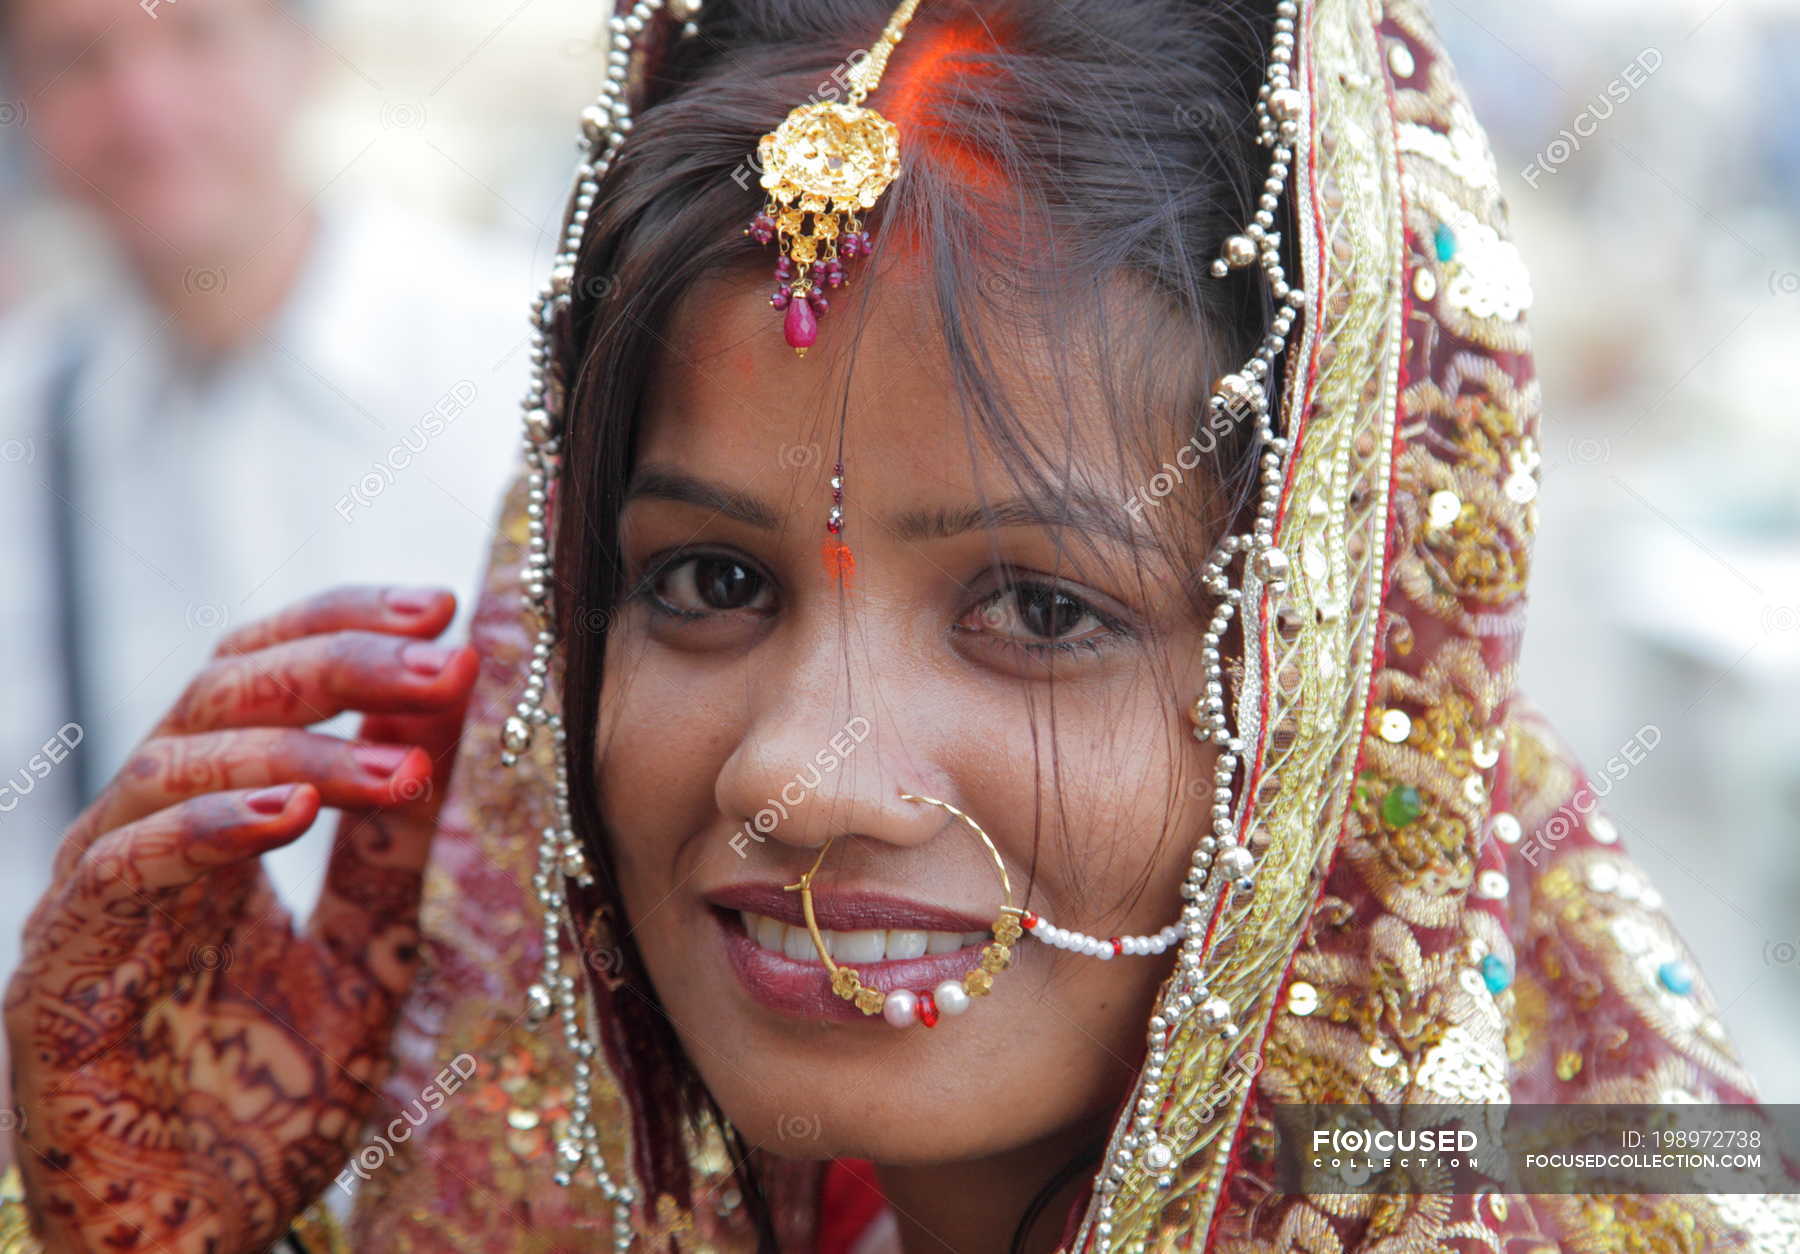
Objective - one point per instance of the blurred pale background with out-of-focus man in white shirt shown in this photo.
(271, 260)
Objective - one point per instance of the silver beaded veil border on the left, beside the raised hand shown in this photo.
(604, 130)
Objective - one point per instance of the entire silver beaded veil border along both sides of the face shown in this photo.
(1243, 395)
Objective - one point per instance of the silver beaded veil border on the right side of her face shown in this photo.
(1243, 395)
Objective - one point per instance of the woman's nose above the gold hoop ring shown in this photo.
(829, 748)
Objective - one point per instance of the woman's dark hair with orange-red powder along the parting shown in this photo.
(1050, 150)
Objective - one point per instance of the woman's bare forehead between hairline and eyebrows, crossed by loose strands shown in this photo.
(730, 395)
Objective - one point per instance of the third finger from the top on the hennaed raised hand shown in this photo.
(172, 769)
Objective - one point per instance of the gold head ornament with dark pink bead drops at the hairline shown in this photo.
(825, 166)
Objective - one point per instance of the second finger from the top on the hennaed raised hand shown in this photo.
(312, 679)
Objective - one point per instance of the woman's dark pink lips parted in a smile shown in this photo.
(804, 990)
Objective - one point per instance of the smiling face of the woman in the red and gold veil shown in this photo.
(1030, 667)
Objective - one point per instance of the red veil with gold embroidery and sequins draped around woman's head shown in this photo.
(1443, 915)
